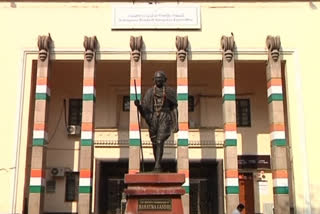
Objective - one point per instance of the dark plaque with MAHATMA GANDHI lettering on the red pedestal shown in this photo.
(155, 204)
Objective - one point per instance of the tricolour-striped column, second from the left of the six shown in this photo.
(87, 126)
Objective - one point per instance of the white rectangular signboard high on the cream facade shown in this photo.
(156, 16)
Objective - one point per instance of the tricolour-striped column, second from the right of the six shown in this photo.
(230, 124)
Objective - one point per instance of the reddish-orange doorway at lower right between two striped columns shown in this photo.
(246, 195)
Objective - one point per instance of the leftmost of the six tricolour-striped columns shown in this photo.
(40, 135)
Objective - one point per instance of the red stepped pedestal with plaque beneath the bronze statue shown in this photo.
(154, 193)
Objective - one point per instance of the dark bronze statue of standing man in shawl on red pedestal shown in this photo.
(159, 109)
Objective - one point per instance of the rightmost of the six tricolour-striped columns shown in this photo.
(277, 128)
